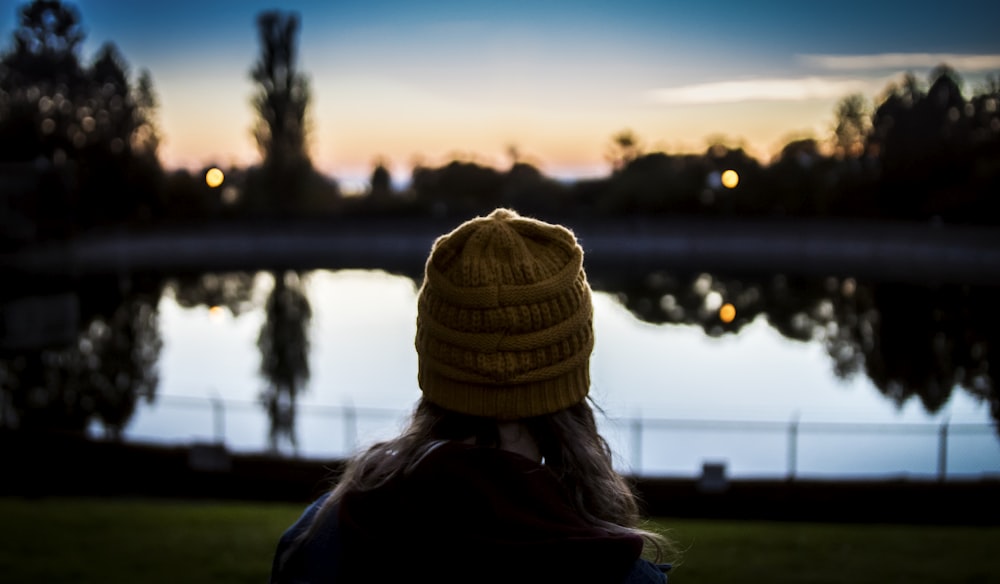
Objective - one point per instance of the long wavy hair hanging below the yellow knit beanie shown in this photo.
(570, 444)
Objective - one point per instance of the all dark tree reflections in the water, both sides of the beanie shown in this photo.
(912, 341)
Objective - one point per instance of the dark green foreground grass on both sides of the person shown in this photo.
(109, 541)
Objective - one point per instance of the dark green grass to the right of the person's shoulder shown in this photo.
(729, 551)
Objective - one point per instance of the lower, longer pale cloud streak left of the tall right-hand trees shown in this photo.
(799, 89)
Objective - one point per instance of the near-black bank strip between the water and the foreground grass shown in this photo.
(53, 465)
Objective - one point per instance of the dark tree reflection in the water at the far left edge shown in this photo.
(99, 377)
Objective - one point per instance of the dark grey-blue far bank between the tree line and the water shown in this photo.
(908, 252)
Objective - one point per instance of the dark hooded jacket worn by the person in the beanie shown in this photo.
(463, 514)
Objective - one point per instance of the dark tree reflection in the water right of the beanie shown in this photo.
(921, 341)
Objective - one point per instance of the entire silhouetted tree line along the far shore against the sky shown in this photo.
(79, 150)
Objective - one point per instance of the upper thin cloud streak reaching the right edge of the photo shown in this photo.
(903, 61)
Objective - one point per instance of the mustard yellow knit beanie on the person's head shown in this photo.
(504, 319)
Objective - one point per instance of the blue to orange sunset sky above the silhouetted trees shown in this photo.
(410, 82)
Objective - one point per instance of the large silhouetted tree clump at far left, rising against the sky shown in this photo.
(78, 124)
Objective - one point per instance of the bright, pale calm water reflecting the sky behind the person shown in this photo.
(674, 398)
